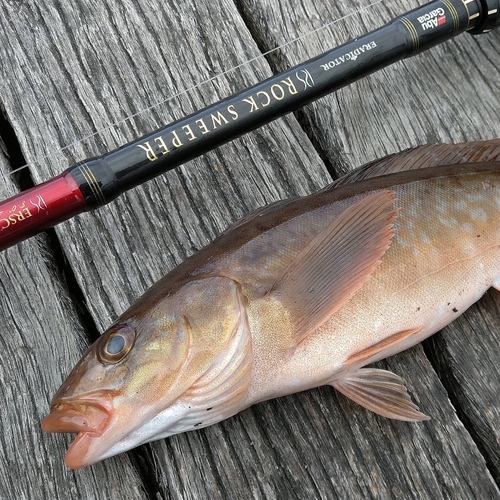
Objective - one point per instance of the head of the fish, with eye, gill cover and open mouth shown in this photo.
(142, 367)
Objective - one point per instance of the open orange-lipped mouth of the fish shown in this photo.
(89, 417)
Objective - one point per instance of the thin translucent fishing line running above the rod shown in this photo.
(191, 89)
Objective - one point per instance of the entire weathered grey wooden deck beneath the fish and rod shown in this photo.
(71, 68)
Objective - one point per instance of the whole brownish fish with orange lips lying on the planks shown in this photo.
(302, 293)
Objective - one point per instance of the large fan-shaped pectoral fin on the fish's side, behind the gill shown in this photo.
(336, 263)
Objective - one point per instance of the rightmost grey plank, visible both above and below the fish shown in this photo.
(444, 95)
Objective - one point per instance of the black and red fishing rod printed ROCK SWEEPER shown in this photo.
(95, 182)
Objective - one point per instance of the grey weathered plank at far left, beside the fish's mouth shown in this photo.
(40, 330)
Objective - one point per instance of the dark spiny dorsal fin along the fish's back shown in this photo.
(431, 155)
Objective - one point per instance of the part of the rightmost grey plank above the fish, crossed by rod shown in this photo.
(443, 95)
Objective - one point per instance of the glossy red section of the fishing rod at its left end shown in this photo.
(39, 208)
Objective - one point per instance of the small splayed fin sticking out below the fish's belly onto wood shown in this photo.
(380, 391)
